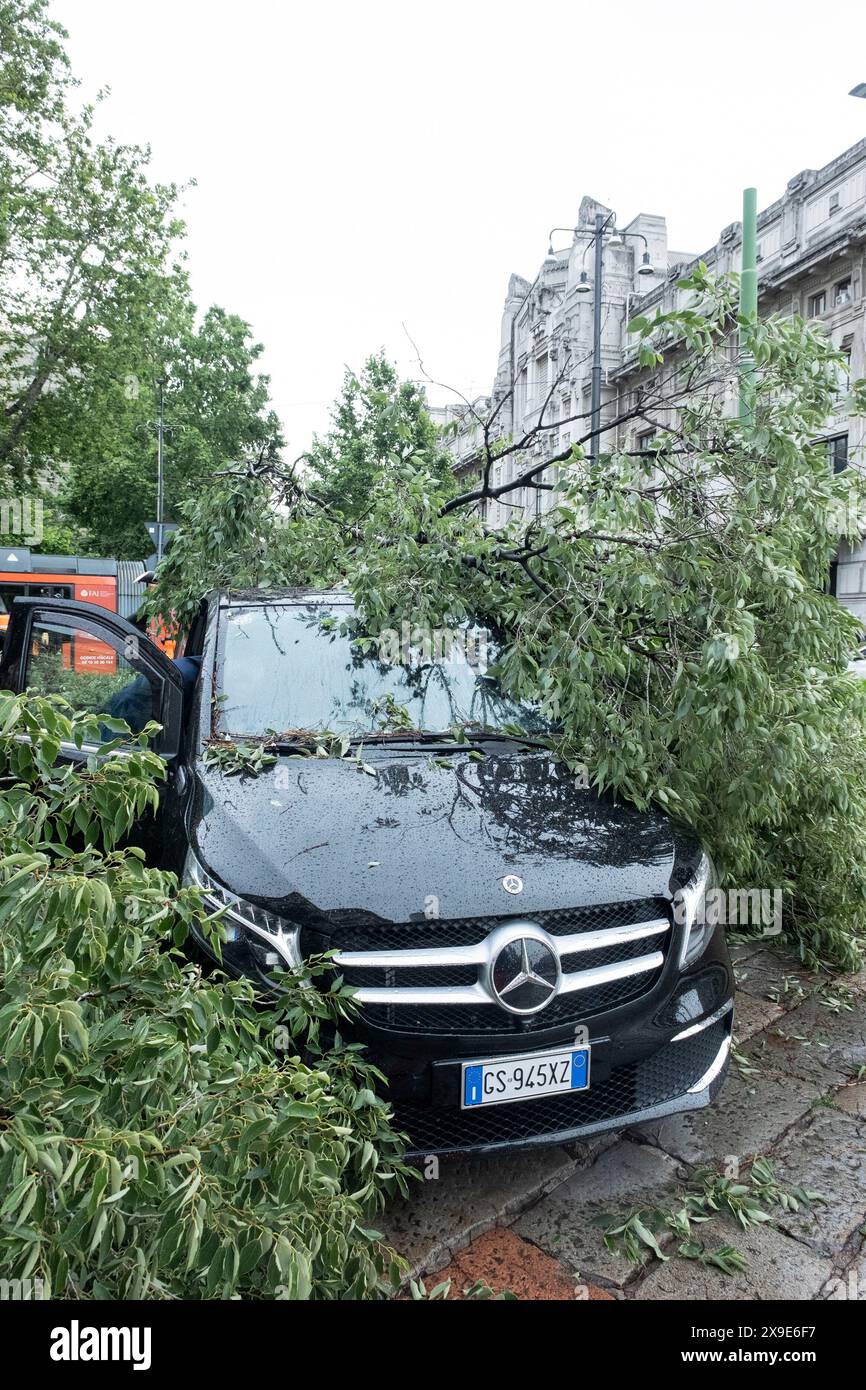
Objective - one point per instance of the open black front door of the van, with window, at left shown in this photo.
(138, 686)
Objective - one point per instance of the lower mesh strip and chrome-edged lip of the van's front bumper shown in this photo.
(685, 1074)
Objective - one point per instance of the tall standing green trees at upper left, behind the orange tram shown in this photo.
(95, 309)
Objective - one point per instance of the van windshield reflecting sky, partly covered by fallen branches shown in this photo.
(297, 668)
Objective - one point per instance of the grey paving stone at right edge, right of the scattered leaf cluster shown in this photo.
(828, 1156)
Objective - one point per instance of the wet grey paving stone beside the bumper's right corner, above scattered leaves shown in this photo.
(747, 1118)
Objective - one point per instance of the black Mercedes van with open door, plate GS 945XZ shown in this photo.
(530, 960)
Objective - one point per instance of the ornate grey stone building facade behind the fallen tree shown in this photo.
(812, 262)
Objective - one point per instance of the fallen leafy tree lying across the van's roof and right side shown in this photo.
(669, 611)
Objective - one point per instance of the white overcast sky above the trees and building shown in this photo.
(386, 163)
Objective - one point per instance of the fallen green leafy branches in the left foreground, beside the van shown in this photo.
(163, 1135)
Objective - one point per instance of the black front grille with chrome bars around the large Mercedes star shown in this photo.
(608, 957)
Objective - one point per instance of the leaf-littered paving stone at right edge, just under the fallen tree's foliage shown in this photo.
(814, 1045)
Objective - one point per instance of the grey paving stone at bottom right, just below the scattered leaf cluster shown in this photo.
(778, 1268)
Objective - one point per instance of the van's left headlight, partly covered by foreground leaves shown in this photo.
(256, 942)
